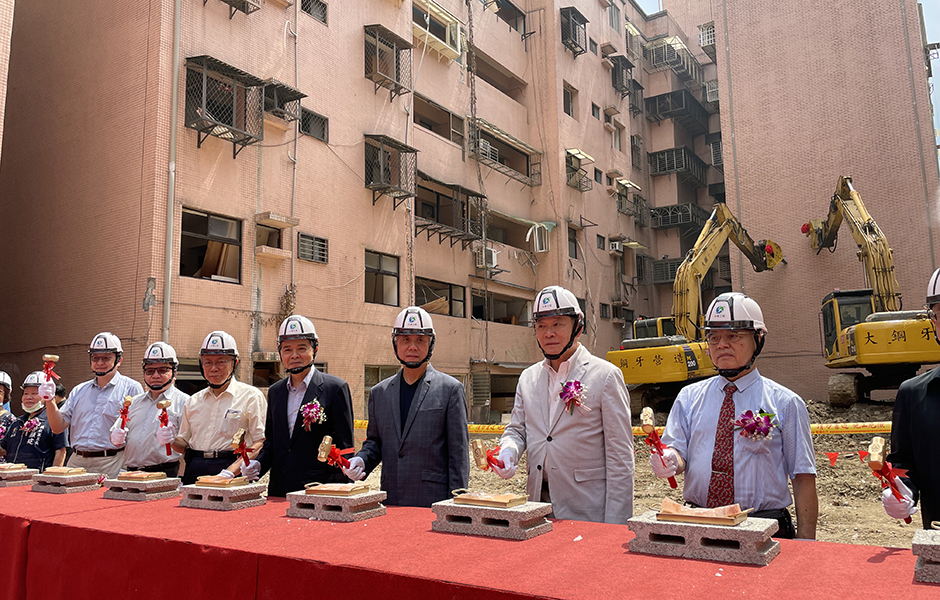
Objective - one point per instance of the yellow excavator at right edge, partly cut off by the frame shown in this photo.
(866, 328)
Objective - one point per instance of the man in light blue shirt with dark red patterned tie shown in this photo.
(715, 438)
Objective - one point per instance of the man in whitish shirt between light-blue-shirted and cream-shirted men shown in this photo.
(142, 450)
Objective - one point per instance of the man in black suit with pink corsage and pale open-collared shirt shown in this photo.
(302, 408)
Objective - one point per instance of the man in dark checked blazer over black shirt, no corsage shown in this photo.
(417, 423)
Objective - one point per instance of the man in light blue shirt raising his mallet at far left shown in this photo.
(92, 407)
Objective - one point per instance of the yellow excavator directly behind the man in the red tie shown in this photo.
(668, 353)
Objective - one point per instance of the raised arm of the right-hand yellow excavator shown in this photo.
(873, 250)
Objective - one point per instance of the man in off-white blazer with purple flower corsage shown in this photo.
(572, 414)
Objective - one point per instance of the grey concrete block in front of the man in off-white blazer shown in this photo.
(522, 522)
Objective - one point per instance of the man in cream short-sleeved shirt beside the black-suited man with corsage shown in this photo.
(212, 416)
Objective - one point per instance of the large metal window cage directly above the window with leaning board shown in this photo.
(224, 102)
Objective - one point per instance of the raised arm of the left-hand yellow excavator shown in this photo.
(720, 227)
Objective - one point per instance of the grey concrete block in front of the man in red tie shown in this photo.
(747, 543)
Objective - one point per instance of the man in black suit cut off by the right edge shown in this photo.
(914, 427)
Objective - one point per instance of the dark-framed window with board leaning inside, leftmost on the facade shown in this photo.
(210, 247)
